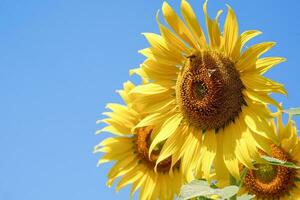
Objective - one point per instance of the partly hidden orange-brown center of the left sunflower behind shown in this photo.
(143, 137)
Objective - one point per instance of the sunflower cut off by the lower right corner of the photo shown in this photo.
(277, 182)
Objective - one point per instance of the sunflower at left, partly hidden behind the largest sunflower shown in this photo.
(129, 148)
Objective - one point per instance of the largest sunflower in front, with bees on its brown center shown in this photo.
(209, 92)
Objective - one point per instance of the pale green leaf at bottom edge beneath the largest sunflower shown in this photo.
(200, 188)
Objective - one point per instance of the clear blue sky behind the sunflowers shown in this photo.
(61, 62)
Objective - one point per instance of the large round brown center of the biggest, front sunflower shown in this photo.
(209, 90)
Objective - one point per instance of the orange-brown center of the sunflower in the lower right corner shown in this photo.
(269, 181)
